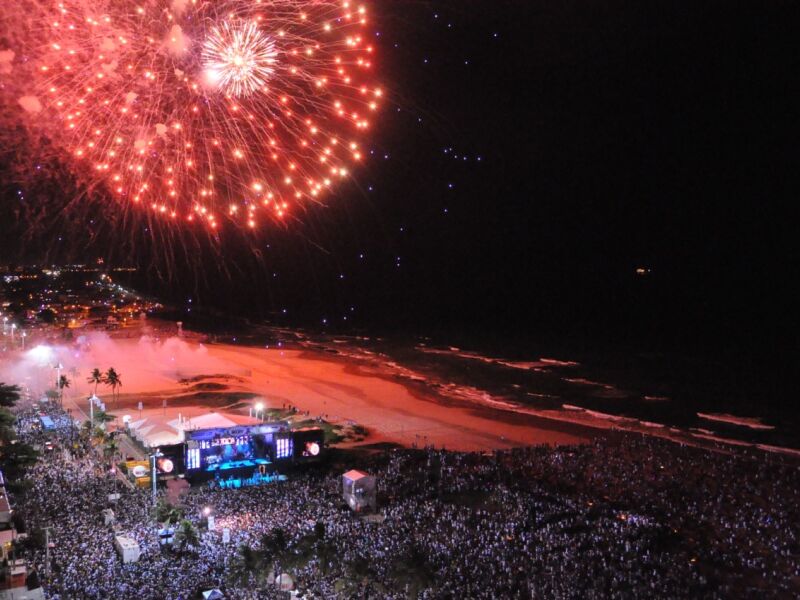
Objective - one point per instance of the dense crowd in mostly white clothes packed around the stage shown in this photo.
(623, 517)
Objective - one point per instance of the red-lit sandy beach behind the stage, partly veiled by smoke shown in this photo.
(194, 377)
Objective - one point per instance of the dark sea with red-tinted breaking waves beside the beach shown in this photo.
(692, 398)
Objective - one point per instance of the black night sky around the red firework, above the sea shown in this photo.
(532, 156)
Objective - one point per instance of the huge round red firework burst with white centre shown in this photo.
(195, 110)
